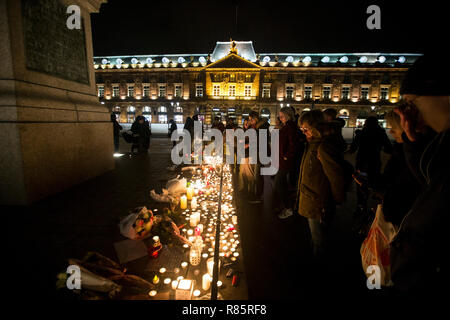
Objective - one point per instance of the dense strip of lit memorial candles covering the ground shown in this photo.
(203, 194)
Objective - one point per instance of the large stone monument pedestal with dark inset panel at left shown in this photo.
(54, 133)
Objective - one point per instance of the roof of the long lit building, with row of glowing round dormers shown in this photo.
(245, 50)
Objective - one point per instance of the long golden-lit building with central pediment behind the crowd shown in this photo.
(233, 80)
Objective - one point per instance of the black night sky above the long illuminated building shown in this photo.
(158, 27)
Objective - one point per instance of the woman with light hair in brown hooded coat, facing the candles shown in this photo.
(321, 180)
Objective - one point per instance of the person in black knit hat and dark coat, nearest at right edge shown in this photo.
(419, 249)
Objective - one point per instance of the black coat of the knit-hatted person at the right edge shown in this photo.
(419, 251)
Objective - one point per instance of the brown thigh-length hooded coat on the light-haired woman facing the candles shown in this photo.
(321, 181)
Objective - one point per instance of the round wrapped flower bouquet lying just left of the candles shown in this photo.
(137, 224)
